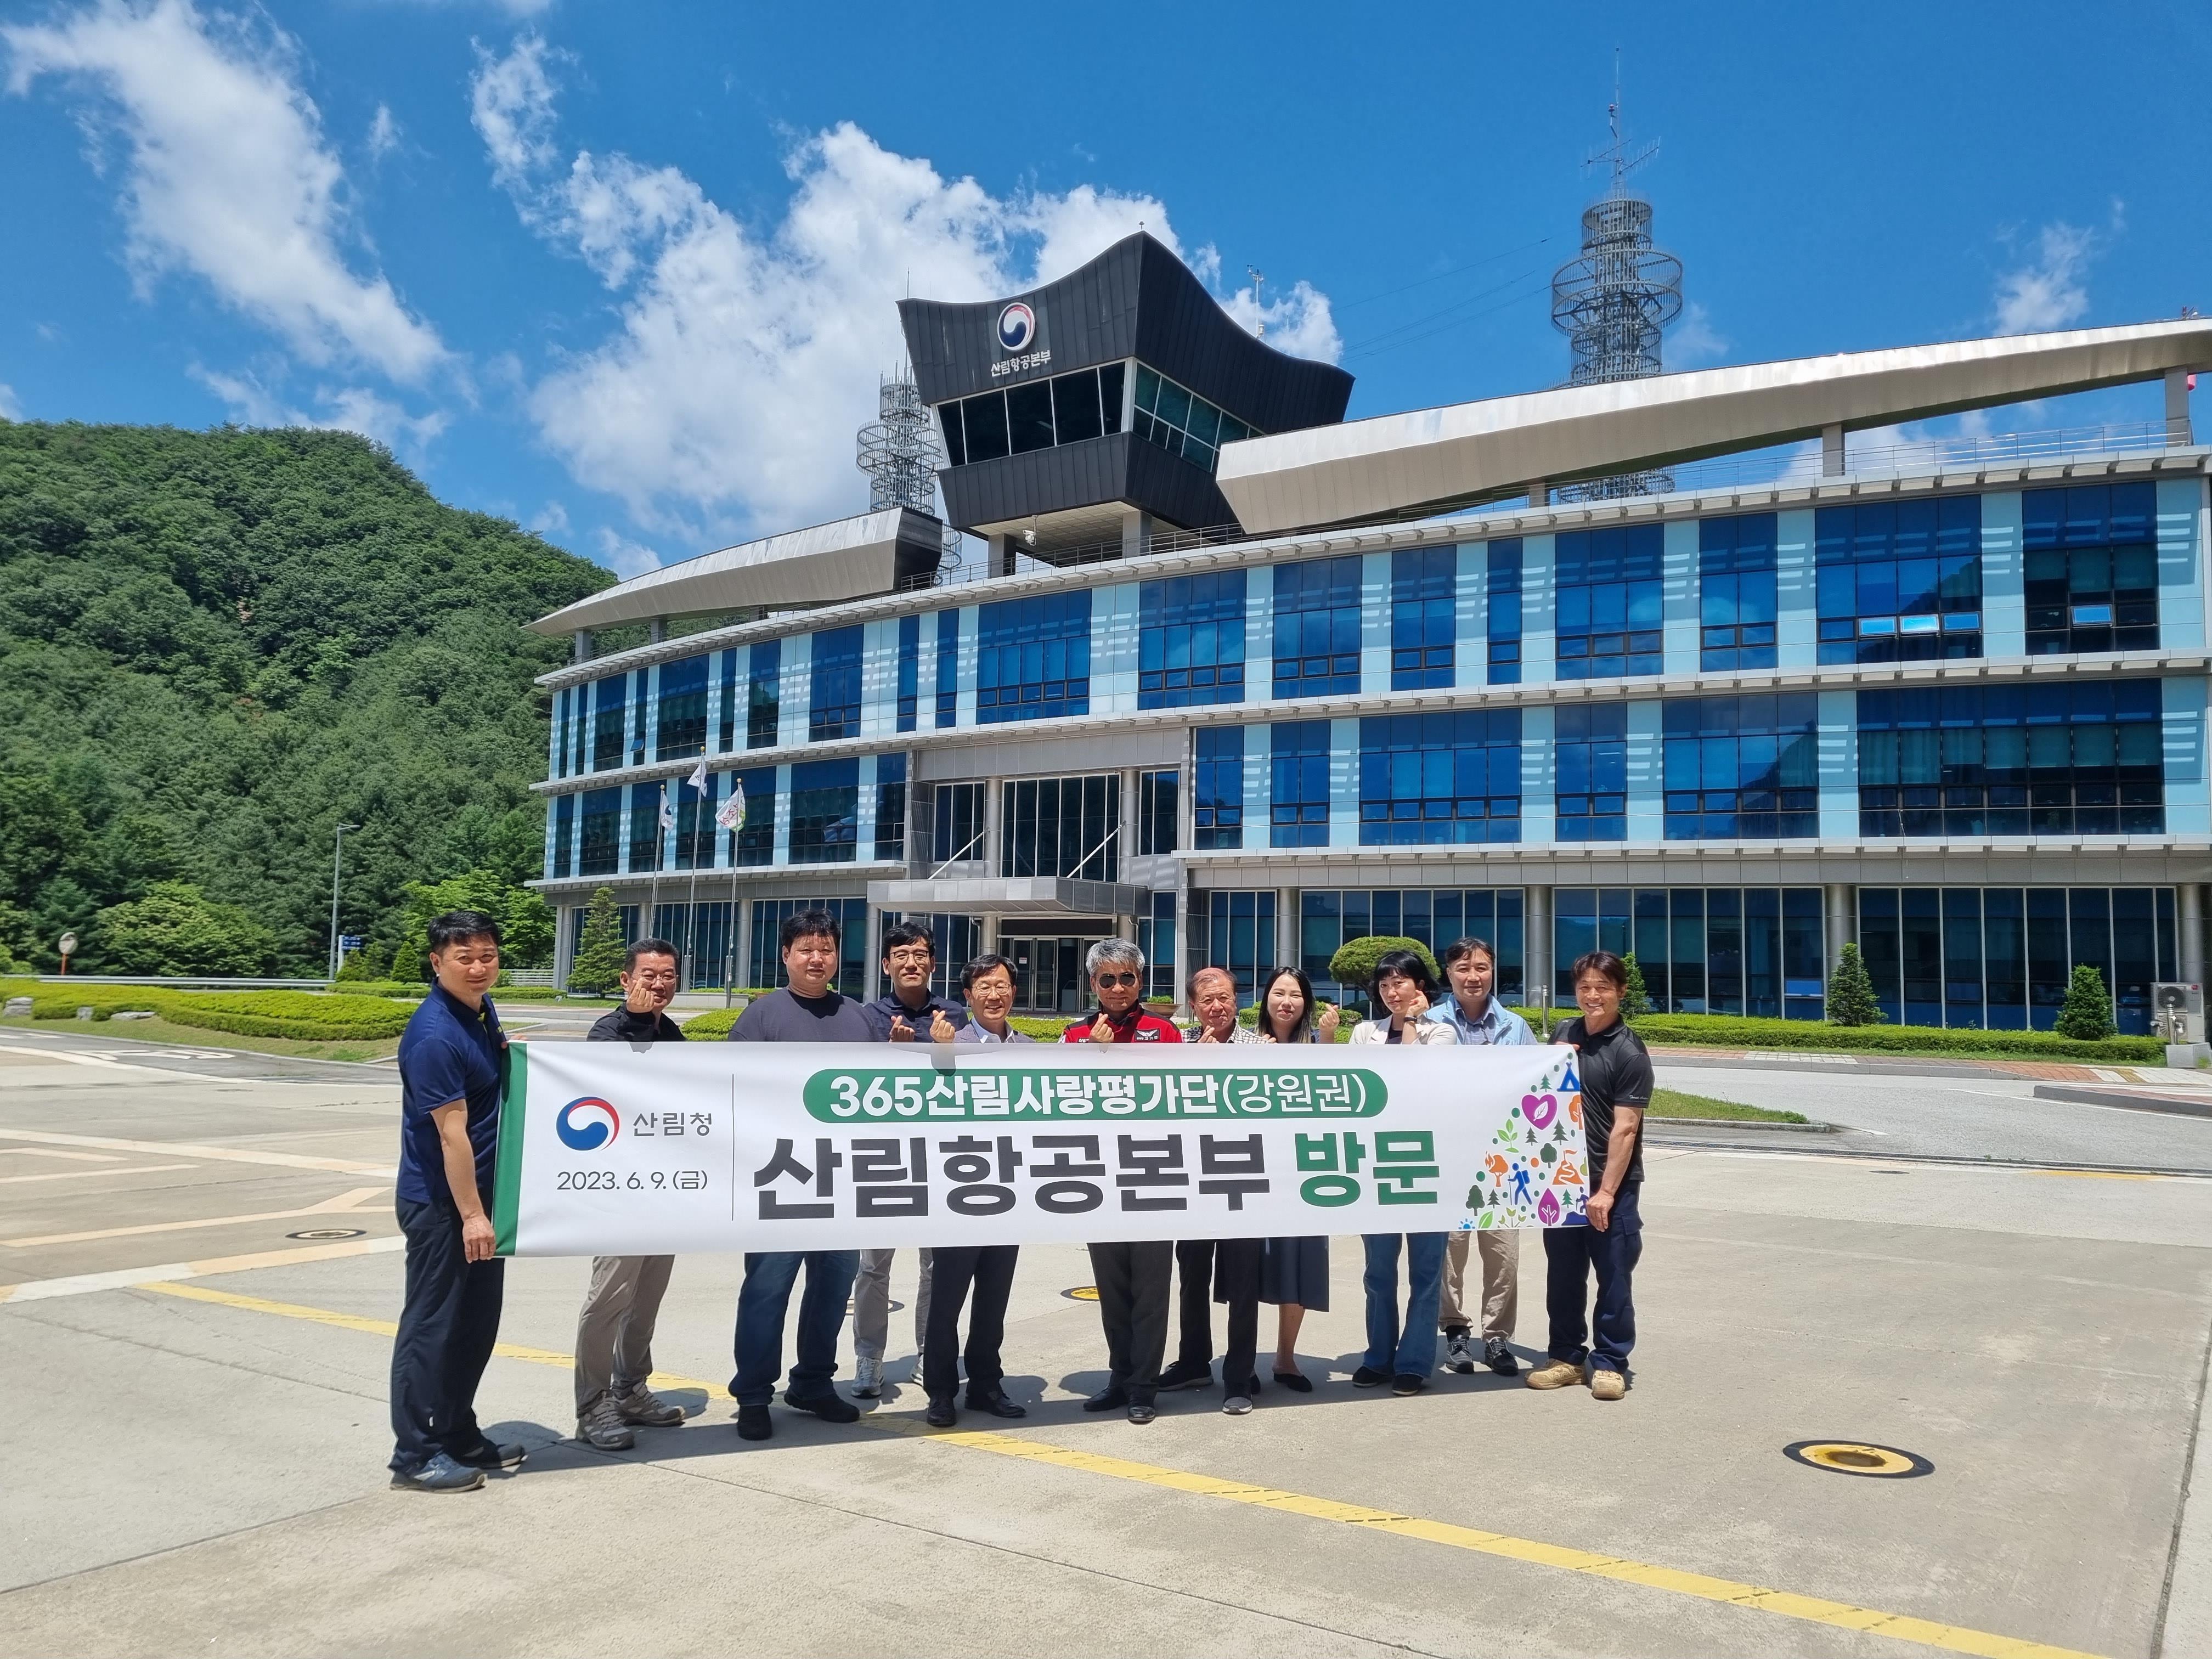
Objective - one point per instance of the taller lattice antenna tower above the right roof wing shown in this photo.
(1618, 295)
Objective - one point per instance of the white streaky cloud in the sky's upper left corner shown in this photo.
(229, 174)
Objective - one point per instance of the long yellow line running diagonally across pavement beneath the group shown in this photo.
(1813, 1609)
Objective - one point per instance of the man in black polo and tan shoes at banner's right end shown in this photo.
(1616, 1078)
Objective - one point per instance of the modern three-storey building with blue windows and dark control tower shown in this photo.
(1242, 680)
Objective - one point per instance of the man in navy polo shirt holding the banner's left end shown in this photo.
(450, 1129)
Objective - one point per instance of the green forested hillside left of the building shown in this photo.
(220, 645)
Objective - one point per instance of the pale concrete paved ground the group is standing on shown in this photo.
(200, 1430)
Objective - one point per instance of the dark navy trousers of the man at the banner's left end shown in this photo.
(448, 1328)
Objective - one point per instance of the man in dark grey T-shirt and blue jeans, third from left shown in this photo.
(806, 1010)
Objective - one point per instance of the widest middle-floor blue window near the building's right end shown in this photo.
(2012, 760)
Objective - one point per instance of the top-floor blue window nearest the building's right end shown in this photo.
(2091, 567)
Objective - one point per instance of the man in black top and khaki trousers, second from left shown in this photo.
(614, 1337)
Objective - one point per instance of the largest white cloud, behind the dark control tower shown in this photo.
(744, 359)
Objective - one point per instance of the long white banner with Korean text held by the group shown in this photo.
(607, 1149)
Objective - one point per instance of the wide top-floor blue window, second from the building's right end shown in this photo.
(1901, 581)
